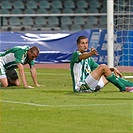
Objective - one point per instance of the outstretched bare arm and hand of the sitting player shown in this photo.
(86, 55)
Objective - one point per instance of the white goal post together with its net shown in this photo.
(120, 35)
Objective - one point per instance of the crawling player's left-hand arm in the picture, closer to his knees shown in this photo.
(22, 75)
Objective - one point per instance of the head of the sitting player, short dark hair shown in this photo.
(82, 43)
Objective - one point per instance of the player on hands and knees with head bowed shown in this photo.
(17, 57)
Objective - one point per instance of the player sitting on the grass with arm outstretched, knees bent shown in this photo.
(87, 75)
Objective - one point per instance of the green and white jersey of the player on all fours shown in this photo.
(15, 55)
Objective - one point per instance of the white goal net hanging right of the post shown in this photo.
(123, 36)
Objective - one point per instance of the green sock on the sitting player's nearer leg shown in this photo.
(116, 82)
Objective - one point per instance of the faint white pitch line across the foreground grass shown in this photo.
(69, 105)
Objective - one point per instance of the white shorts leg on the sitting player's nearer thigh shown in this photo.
(92, 83)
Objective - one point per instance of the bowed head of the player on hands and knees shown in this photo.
(33, 53)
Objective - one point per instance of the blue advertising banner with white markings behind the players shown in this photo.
(58, 47)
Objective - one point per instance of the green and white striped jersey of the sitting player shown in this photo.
(80, 69)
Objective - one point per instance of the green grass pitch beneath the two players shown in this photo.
(54, 108)
